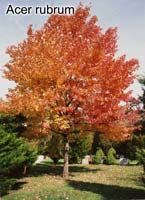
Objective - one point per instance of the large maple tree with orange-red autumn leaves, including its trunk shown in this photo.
(67, 75)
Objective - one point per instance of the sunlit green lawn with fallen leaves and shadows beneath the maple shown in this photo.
(93, 182)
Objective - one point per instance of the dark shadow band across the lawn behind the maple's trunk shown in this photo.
(47, 168)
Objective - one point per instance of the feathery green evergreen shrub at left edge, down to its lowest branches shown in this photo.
(15, 153)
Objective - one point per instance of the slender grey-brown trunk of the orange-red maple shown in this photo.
(66, 151)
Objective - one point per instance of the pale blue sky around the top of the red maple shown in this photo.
(127, 15)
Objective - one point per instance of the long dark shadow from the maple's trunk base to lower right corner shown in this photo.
(109, 192)
